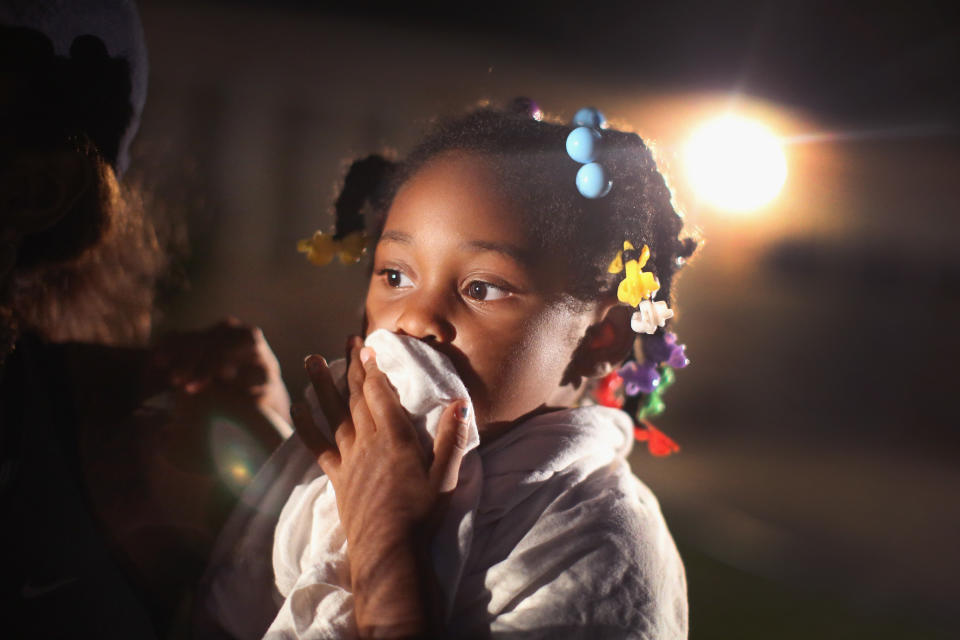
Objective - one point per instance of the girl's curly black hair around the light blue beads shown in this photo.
(530, 159)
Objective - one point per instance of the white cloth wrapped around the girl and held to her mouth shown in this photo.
(549, 534)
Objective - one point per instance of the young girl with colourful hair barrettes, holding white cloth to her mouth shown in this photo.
(494, 249)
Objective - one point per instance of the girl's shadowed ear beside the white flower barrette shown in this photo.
(604, 345)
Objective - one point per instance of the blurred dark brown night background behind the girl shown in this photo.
(816, 493)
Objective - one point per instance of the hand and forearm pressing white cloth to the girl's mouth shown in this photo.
(387, 487)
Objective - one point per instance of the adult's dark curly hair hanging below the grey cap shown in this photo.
(91, 276)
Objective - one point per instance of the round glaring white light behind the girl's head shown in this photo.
(735, 164)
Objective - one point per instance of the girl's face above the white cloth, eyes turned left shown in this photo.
(454, 268)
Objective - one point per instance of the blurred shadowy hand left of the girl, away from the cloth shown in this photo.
(229, 355)
